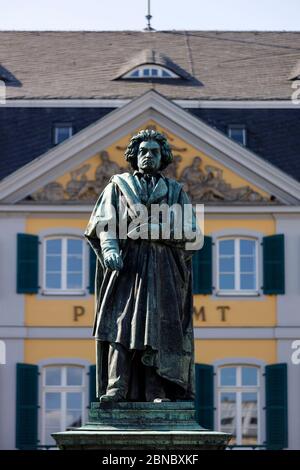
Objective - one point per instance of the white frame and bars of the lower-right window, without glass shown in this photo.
(238, 389)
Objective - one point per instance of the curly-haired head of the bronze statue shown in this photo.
(149, 151)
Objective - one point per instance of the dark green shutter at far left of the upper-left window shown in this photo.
(27, 263)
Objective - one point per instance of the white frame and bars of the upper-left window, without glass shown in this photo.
(64, 290)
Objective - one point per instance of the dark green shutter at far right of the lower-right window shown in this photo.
(276, 406)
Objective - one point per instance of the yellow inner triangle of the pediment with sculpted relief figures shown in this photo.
(204, 179)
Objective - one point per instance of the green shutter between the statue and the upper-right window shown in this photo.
(202, 268)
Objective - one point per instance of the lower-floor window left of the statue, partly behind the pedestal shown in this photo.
(62, 399)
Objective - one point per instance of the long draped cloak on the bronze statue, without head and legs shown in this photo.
(148, 304)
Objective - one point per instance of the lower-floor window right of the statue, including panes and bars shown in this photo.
(239, 403)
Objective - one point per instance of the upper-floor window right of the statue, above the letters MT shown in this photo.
(237, 265)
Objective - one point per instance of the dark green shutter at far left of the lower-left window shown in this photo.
(27, 406)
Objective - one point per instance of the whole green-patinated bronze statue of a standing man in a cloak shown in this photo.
(144, 306)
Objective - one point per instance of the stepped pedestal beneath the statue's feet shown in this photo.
(142, 426)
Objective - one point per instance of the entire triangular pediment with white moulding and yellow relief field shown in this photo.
(212, 168)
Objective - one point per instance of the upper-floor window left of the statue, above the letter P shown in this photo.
(64, 265)
